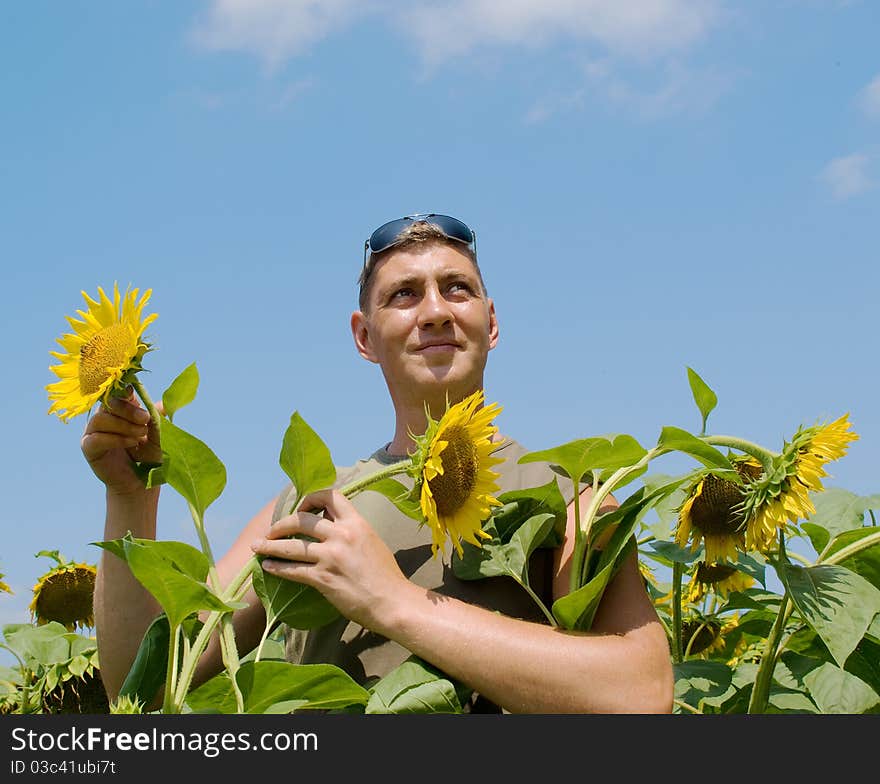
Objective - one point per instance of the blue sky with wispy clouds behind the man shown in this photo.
(654, 185)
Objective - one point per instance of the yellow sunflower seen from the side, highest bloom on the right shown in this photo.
(782, 495)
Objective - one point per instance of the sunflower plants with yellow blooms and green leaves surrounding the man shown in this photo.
(766, 581)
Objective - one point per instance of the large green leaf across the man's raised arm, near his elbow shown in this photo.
(173, 572)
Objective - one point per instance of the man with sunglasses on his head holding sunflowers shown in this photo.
(425, 319)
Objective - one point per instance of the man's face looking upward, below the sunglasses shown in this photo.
(429, 326)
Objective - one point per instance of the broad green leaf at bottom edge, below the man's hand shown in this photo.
(266, 684)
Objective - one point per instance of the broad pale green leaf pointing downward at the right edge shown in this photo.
(836, 603)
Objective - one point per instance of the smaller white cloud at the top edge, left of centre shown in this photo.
(274, 30)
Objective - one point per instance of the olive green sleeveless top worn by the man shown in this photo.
(367, 656)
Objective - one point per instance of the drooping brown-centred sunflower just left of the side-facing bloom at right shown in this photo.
(712, 514)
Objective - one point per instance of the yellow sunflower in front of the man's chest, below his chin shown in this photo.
(452, 464)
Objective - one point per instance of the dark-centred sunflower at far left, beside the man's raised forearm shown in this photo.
(64, 594)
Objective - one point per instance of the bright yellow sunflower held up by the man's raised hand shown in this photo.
(102, 353)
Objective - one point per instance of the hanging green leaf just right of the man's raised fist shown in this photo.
(191, 468)
